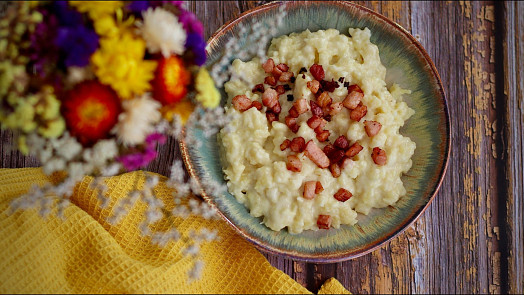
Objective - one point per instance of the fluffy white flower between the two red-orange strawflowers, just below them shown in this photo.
(137, 120)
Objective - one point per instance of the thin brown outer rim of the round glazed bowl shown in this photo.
(340, 255)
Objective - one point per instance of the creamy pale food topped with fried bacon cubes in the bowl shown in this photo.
(315, 136)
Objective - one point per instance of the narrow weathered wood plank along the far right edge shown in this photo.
(513, 96)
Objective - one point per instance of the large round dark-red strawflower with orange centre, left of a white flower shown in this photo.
(91, 109)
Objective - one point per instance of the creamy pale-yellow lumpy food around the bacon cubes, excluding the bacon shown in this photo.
(254, 165)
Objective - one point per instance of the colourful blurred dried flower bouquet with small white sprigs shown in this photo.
(93, 88)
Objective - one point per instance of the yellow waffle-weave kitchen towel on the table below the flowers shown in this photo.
(83, 253)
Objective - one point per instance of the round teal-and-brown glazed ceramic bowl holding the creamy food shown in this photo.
(408, 65)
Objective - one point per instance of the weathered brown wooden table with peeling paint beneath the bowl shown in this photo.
(471, 238)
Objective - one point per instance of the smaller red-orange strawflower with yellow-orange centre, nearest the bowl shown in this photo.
(171, 80)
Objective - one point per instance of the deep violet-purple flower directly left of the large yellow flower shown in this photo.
(77, 44)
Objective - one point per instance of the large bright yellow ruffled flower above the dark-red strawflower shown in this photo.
(119, 63)
